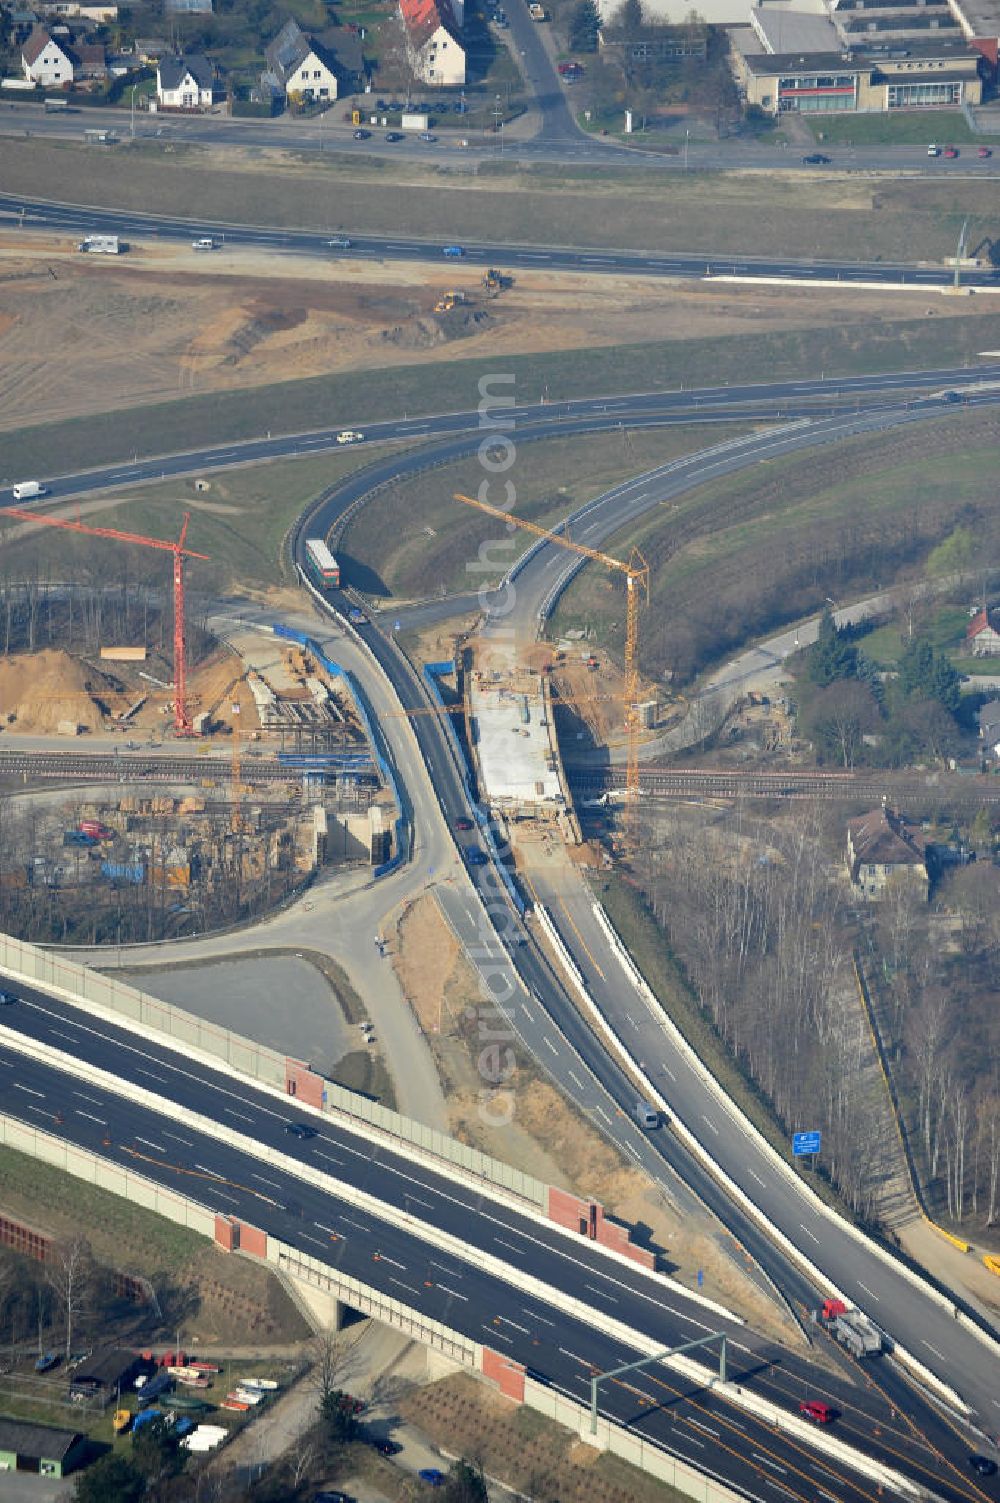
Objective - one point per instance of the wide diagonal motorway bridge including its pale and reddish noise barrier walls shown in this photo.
(524, 1283)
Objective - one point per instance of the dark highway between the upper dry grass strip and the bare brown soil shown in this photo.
(511, 256)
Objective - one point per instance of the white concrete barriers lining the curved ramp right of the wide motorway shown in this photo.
(747, 1126)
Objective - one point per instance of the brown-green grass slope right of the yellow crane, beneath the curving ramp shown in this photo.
(793, 516)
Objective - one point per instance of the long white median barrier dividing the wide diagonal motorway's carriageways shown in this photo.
(446, 1242)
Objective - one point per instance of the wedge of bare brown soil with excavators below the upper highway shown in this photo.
(148, 327)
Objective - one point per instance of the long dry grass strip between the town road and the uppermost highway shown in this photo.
(751, 214)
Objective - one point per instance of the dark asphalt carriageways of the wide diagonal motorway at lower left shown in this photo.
(407, 1263)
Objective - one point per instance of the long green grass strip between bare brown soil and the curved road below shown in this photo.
(371, 396)
